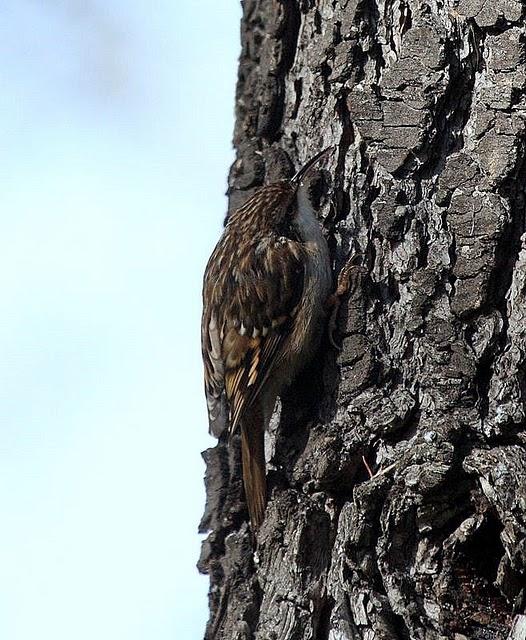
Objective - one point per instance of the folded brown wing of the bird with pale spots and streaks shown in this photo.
(250, 303)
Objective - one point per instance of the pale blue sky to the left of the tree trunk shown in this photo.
(116, 119)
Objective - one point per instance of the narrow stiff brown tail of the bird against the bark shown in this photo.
(253, 457)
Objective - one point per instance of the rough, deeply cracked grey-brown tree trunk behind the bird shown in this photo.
(425, 101)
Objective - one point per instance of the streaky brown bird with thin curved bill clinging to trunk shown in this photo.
(265, 292)
